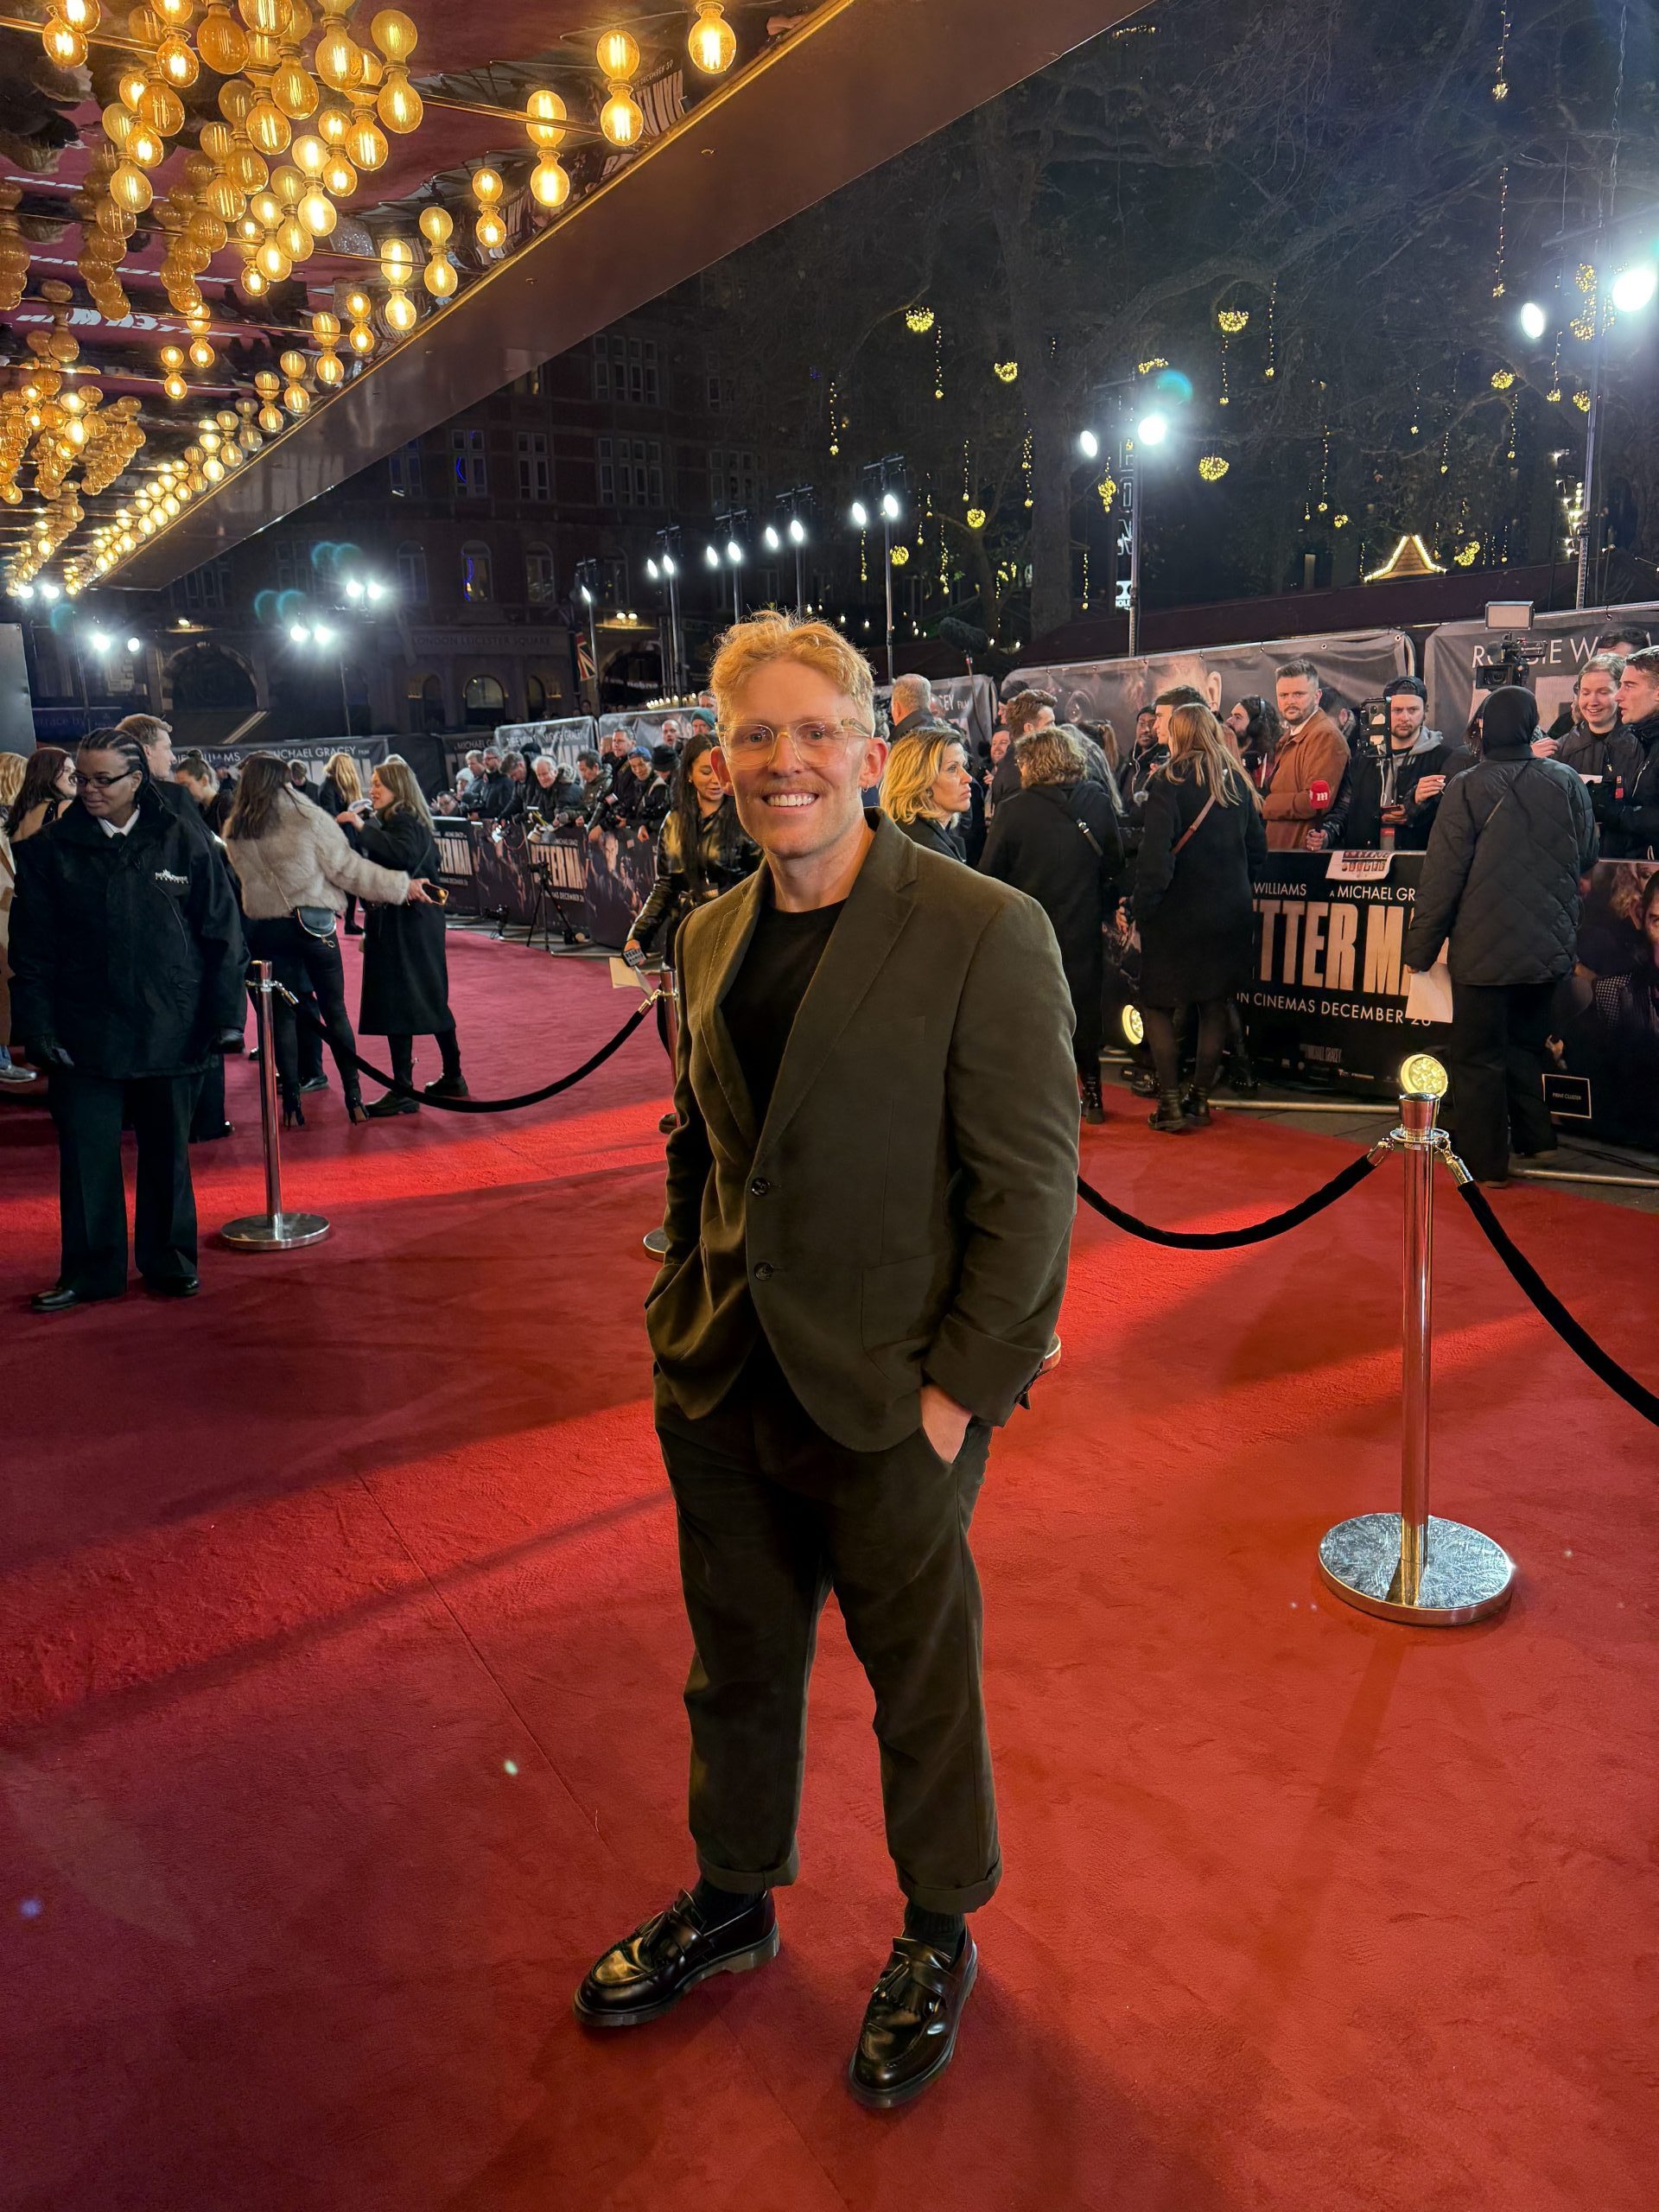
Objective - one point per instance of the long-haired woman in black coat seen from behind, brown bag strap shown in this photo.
(1196, 906)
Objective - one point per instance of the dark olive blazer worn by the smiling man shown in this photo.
(906, 1211)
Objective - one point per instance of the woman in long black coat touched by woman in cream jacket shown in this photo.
(406, 966)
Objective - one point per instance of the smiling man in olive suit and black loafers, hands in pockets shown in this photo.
(870, 1200)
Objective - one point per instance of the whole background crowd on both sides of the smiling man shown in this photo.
(1142, 846)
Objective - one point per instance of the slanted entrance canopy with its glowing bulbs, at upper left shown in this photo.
(249, 247)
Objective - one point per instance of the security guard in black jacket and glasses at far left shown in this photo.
(127, 977)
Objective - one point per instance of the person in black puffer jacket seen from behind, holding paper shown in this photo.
(1503, 881)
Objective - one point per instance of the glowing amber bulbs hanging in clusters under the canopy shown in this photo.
(306, 112)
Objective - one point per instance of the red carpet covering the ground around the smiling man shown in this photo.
(342, 1653)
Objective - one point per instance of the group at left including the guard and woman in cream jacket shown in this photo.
(136, 890)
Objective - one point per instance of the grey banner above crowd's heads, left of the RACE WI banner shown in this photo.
(1357, 665)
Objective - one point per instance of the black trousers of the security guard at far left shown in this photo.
(92, 1198)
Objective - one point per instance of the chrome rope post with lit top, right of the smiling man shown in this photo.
(1415, 1567)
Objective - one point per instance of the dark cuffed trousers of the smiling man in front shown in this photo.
(773, 1516)
